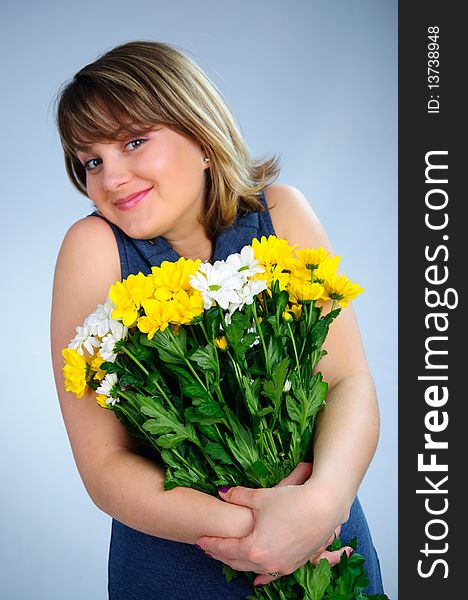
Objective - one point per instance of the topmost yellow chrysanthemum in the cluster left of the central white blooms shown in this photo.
(172, 277)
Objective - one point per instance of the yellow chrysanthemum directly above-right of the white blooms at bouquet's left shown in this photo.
(129, 295)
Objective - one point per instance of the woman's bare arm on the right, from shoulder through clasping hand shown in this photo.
(344, 443)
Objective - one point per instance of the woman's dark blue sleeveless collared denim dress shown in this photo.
(144, 567)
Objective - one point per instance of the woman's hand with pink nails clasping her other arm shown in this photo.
(281, 540)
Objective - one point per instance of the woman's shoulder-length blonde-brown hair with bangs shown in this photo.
(142, 84)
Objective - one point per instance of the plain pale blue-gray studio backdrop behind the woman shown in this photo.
(314, 81)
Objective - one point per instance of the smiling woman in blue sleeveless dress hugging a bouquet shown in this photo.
(150, 141)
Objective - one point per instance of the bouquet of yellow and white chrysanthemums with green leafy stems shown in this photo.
(214, 368)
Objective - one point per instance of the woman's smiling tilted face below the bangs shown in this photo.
(150, 185)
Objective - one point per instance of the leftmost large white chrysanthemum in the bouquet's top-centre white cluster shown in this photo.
(217, 283)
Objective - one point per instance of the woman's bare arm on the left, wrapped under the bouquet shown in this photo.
(119, 480)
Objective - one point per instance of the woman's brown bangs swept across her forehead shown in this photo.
(89, 113)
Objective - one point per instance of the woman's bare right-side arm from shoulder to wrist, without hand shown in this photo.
(348, 428)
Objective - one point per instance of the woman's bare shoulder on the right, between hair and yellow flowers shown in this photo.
(294, 218)
